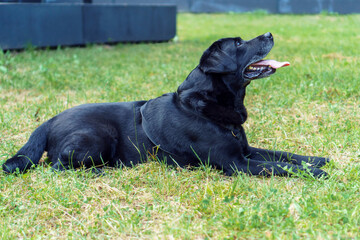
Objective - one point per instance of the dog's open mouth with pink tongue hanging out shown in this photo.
(263, 68)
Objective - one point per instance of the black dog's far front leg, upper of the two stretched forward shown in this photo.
(279, 156)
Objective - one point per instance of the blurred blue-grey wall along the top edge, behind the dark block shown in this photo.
(199, 6)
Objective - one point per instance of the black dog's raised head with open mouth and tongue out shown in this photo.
(245, 58)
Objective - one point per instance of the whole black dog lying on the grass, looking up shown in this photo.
(201, 122)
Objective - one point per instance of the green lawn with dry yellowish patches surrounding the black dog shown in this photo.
(311, 107)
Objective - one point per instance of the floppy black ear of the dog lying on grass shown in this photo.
(215, 60)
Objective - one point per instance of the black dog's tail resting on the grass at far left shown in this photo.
(30, 153)
